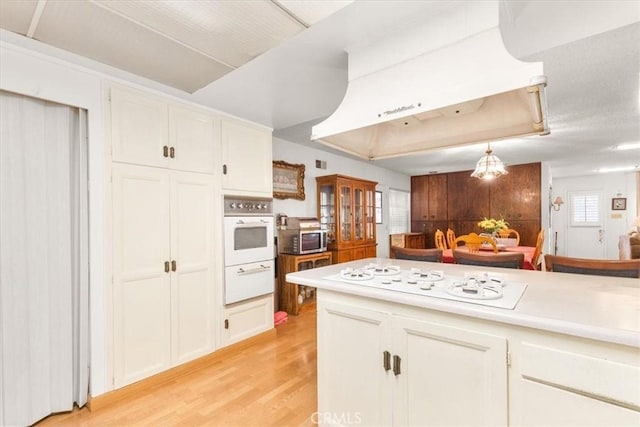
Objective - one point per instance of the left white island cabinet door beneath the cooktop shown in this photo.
(352, 381)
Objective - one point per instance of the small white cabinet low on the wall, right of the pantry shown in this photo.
(246, 319)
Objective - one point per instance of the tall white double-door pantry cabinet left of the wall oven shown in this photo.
(163, 269)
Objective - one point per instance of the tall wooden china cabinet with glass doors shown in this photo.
(346, 208)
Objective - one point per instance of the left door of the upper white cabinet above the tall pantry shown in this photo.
(139, 129)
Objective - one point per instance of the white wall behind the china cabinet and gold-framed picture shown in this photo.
(296, 153)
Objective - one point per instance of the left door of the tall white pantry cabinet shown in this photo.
(142, 298)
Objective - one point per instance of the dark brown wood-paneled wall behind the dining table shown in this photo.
(457, 201)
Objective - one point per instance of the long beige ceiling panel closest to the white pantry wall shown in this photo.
(97, 33)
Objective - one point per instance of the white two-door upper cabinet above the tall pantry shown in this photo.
(150, 131)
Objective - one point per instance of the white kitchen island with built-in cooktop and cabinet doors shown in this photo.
(397, 346)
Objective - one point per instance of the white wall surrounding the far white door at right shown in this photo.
(615, 222)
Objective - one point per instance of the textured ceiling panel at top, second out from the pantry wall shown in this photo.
(233, 32)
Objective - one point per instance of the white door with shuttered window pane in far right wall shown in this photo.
(586, 235)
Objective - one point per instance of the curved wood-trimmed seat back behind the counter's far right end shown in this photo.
(598, 267)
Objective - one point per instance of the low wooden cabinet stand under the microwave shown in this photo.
(292, 298)
